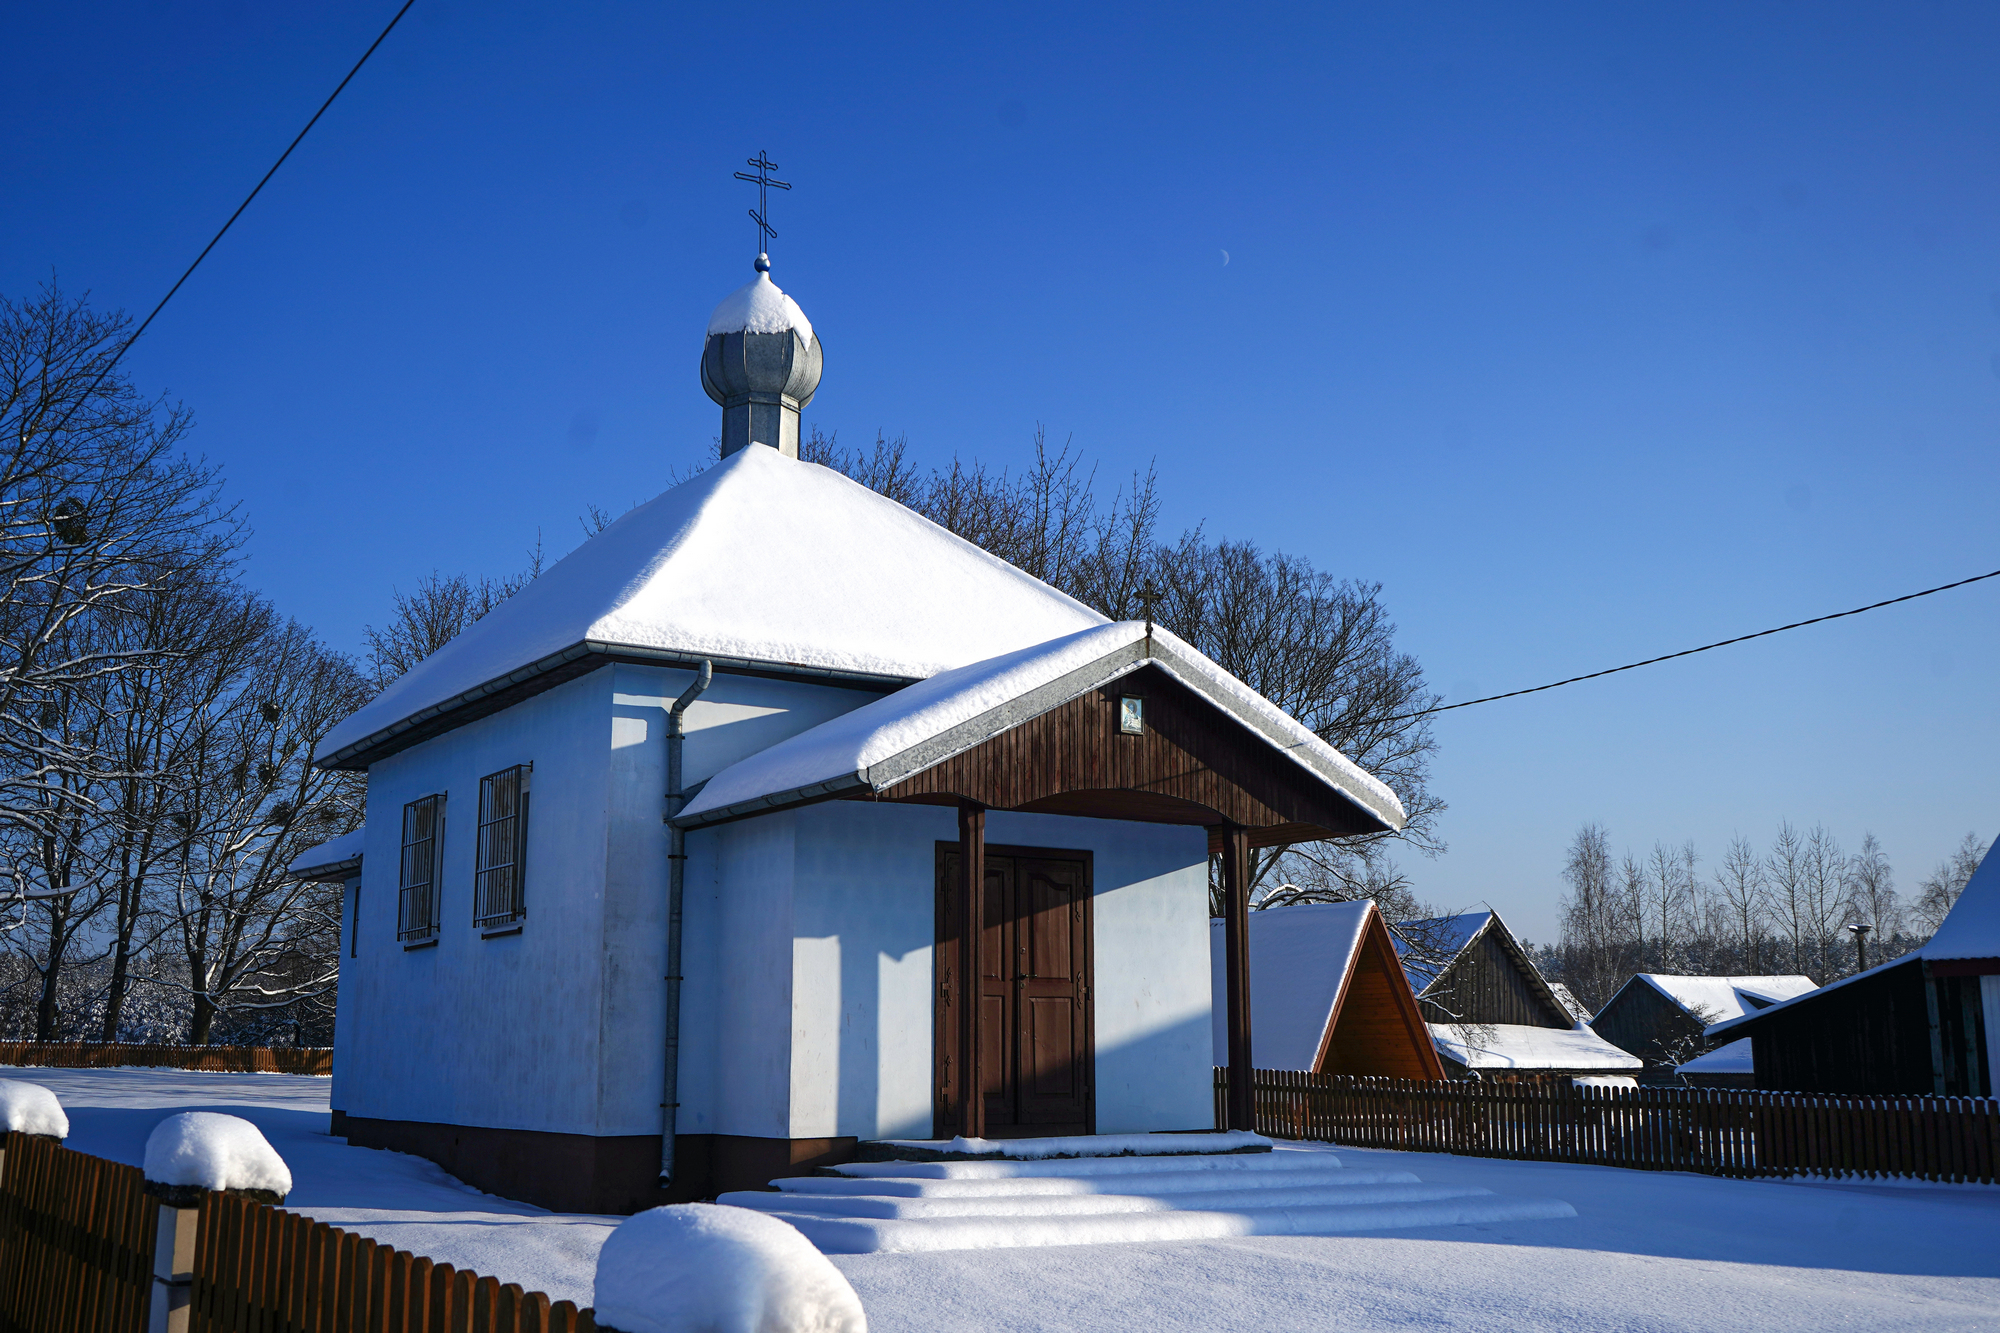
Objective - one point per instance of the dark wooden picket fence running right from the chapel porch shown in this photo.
(1715, 1132)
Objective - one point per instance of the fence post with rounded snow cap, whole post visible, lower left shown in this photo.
(189, 1156)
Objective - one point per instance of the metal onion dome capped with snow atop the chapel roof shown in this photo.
(761, 361)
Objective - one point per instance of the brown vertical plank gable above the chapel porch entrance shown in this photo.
(1191, 766)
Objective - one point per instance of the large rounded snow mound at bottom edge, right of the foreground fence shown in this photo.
(701, 1268)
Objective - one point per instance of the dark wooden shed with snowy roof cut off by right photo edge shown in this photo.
(1923, 1024)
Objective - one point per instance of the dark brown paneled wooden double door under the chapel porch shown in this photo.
(1039, 1066)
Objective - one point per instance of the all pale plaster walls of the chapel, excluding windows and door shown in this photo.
(807, 1008)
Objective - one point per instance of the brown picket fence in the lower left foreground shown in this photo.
(77, 1238)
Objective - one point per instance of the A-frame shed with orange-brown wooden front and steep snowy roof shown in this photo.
(1327, 996)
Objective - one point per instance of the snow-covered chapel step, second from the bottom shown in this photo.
(1085, 1206)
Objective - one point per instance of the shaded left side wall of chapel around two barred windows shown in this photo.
(485, 1032)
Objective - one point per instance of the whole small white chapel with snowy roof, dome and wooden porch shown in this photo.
(669, 862)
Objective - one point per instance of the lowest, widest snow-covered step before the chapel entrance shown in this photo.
(861, 1236)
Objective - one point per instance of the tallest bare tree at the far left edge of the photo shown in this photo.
(99, 511)
